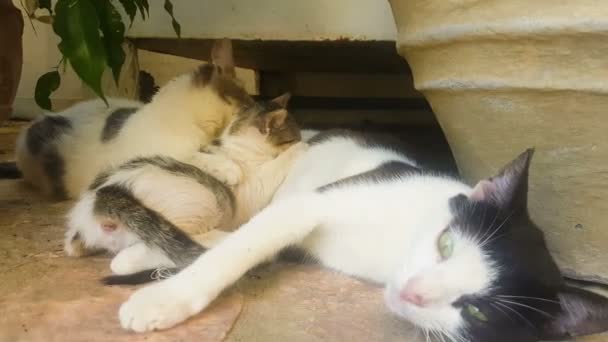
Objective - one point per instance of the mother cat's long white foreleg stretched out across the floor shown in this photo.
(166, 303)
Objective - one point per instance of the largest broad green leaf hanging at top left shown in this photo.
(77, 24)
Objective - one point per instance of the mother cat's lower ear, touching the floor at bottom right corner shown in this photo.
(582, 313)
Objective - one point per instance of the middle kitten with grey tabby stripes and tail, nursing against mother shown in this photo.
(164, 203)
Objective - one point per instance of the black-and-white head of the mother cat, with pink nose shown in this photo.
(483, 272)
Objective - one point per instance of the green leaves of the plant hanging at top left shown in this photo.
(92, 34)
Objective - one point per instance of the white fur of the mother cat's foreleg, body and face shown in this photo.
(384, 232)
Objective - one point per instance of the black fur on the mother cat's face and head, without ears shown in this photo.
(528, 275)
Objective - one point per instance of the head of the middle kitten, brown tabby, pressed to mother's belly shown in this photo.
(265, 128)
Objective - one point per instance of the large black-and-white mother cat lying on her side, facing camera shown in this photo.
(465, 263)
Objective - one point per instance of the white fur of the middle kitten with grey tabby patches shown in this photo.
(245, 160)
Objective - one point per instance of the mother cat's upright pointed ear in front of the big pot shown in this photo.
(509, 188)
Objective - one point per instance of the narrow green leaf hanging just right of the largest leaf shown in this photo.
(113, 31)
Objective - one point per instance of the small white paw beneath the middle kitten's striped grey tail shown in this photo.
(139, 257)
